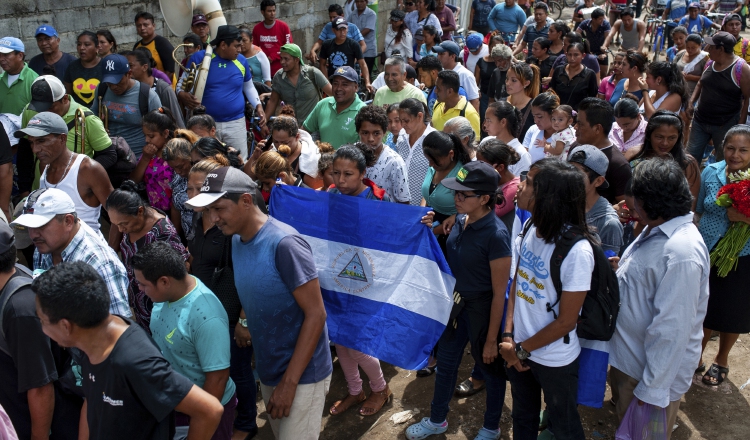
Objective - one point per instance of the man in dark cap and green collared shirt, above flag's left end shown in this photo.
(333, 117)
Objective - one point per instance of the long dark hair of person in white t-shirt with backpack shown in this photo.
(559, 199)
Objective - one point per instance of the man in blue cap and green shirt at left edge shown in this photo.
(16, 79)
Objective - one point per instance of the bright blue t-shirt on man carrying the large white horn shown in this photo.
(223, 97)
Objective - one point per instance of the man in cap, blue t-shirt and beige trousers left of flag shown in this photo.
(277, 282)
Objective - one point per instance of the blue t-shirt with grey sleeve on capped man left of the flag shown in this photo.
(267, 269)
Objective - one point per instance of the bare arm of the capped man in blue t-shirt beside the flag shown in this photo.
(310, 300)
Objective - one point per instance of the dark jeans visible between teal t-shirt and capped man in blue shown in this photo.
(241, 372)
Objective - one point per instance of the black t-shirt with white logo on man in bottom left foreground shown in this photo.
(132, 394)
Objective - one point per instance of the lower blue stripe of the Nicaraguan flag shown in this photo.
(382, 330)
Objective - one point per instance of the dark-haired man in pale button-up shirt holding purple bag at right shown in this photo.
(663, 279)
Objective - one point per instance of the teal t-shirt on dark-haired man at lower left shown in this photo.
(192, 335)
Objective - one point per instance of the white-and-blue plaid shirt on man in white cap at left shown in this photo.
(90, 247)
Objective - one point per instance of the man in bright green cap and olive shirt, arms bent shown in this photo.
(296, 84)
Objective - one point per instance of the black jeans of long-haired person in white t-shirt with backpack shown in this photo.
(560, 386)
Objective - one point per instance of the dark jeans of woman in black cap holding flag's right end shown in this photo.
(449, 355)
